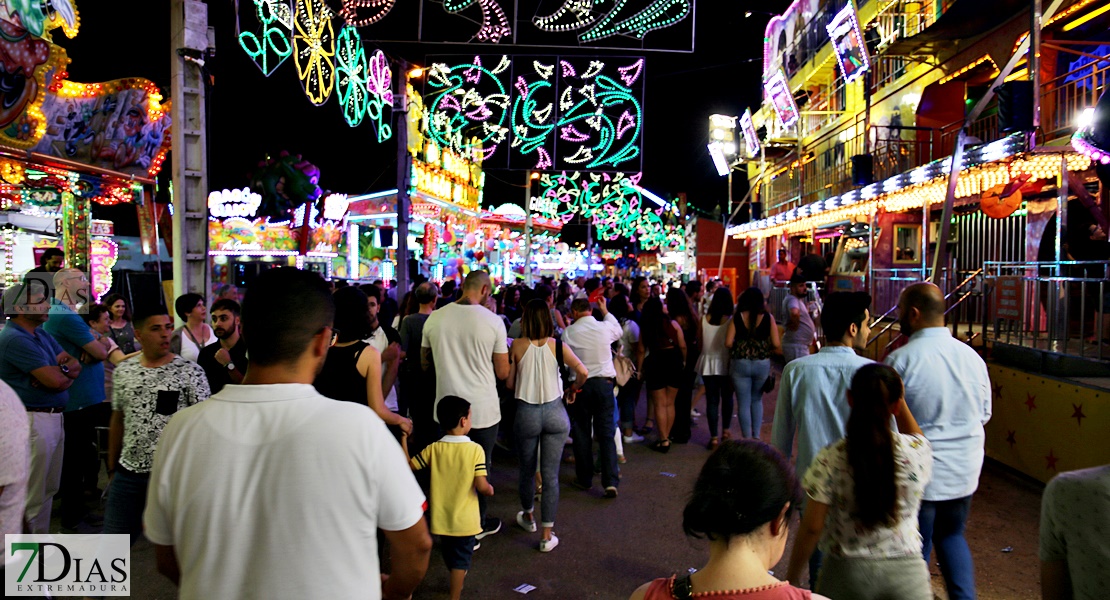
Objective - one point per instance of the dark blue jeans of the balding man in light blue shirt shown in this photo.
(943, 523)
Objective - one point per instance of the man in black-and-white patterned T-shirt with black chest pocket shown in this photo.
(147, 392)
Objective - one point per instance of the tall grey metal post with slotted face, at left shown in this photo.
(189, 37)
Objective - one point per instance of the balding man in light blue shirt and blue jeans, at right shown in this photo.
(948, 392)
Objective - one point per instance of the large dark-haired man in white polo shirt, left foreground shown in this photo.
(269, 490)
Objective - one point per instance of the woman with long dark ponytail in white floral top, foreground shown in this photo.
(864, 495)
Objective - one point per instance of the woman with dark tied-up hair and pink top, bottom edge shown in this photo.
(742, 503)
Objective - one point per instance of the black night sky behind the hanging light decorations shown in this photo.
(253, 116)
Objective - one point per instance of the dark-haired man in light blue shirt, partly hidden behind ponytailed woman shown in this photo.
(813, 395)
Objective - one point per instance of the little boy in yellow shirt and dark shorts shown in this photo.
(459, 470)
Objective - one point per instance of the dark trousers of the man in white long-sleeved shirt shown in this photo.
(592, 418)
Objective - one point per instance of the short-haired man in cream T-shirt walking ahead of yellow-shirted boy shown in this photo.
(467, 344)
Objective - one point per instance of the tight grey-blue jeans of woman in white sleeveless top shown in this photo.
(541, 428)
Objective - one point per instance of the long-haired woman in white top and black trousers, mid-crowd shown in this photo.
(713, 365)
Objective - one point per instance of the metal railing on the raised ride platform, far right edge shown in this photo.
(1058, 308)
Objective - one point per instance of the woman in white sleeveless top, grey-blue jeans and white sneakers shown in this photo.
(542, 424)
